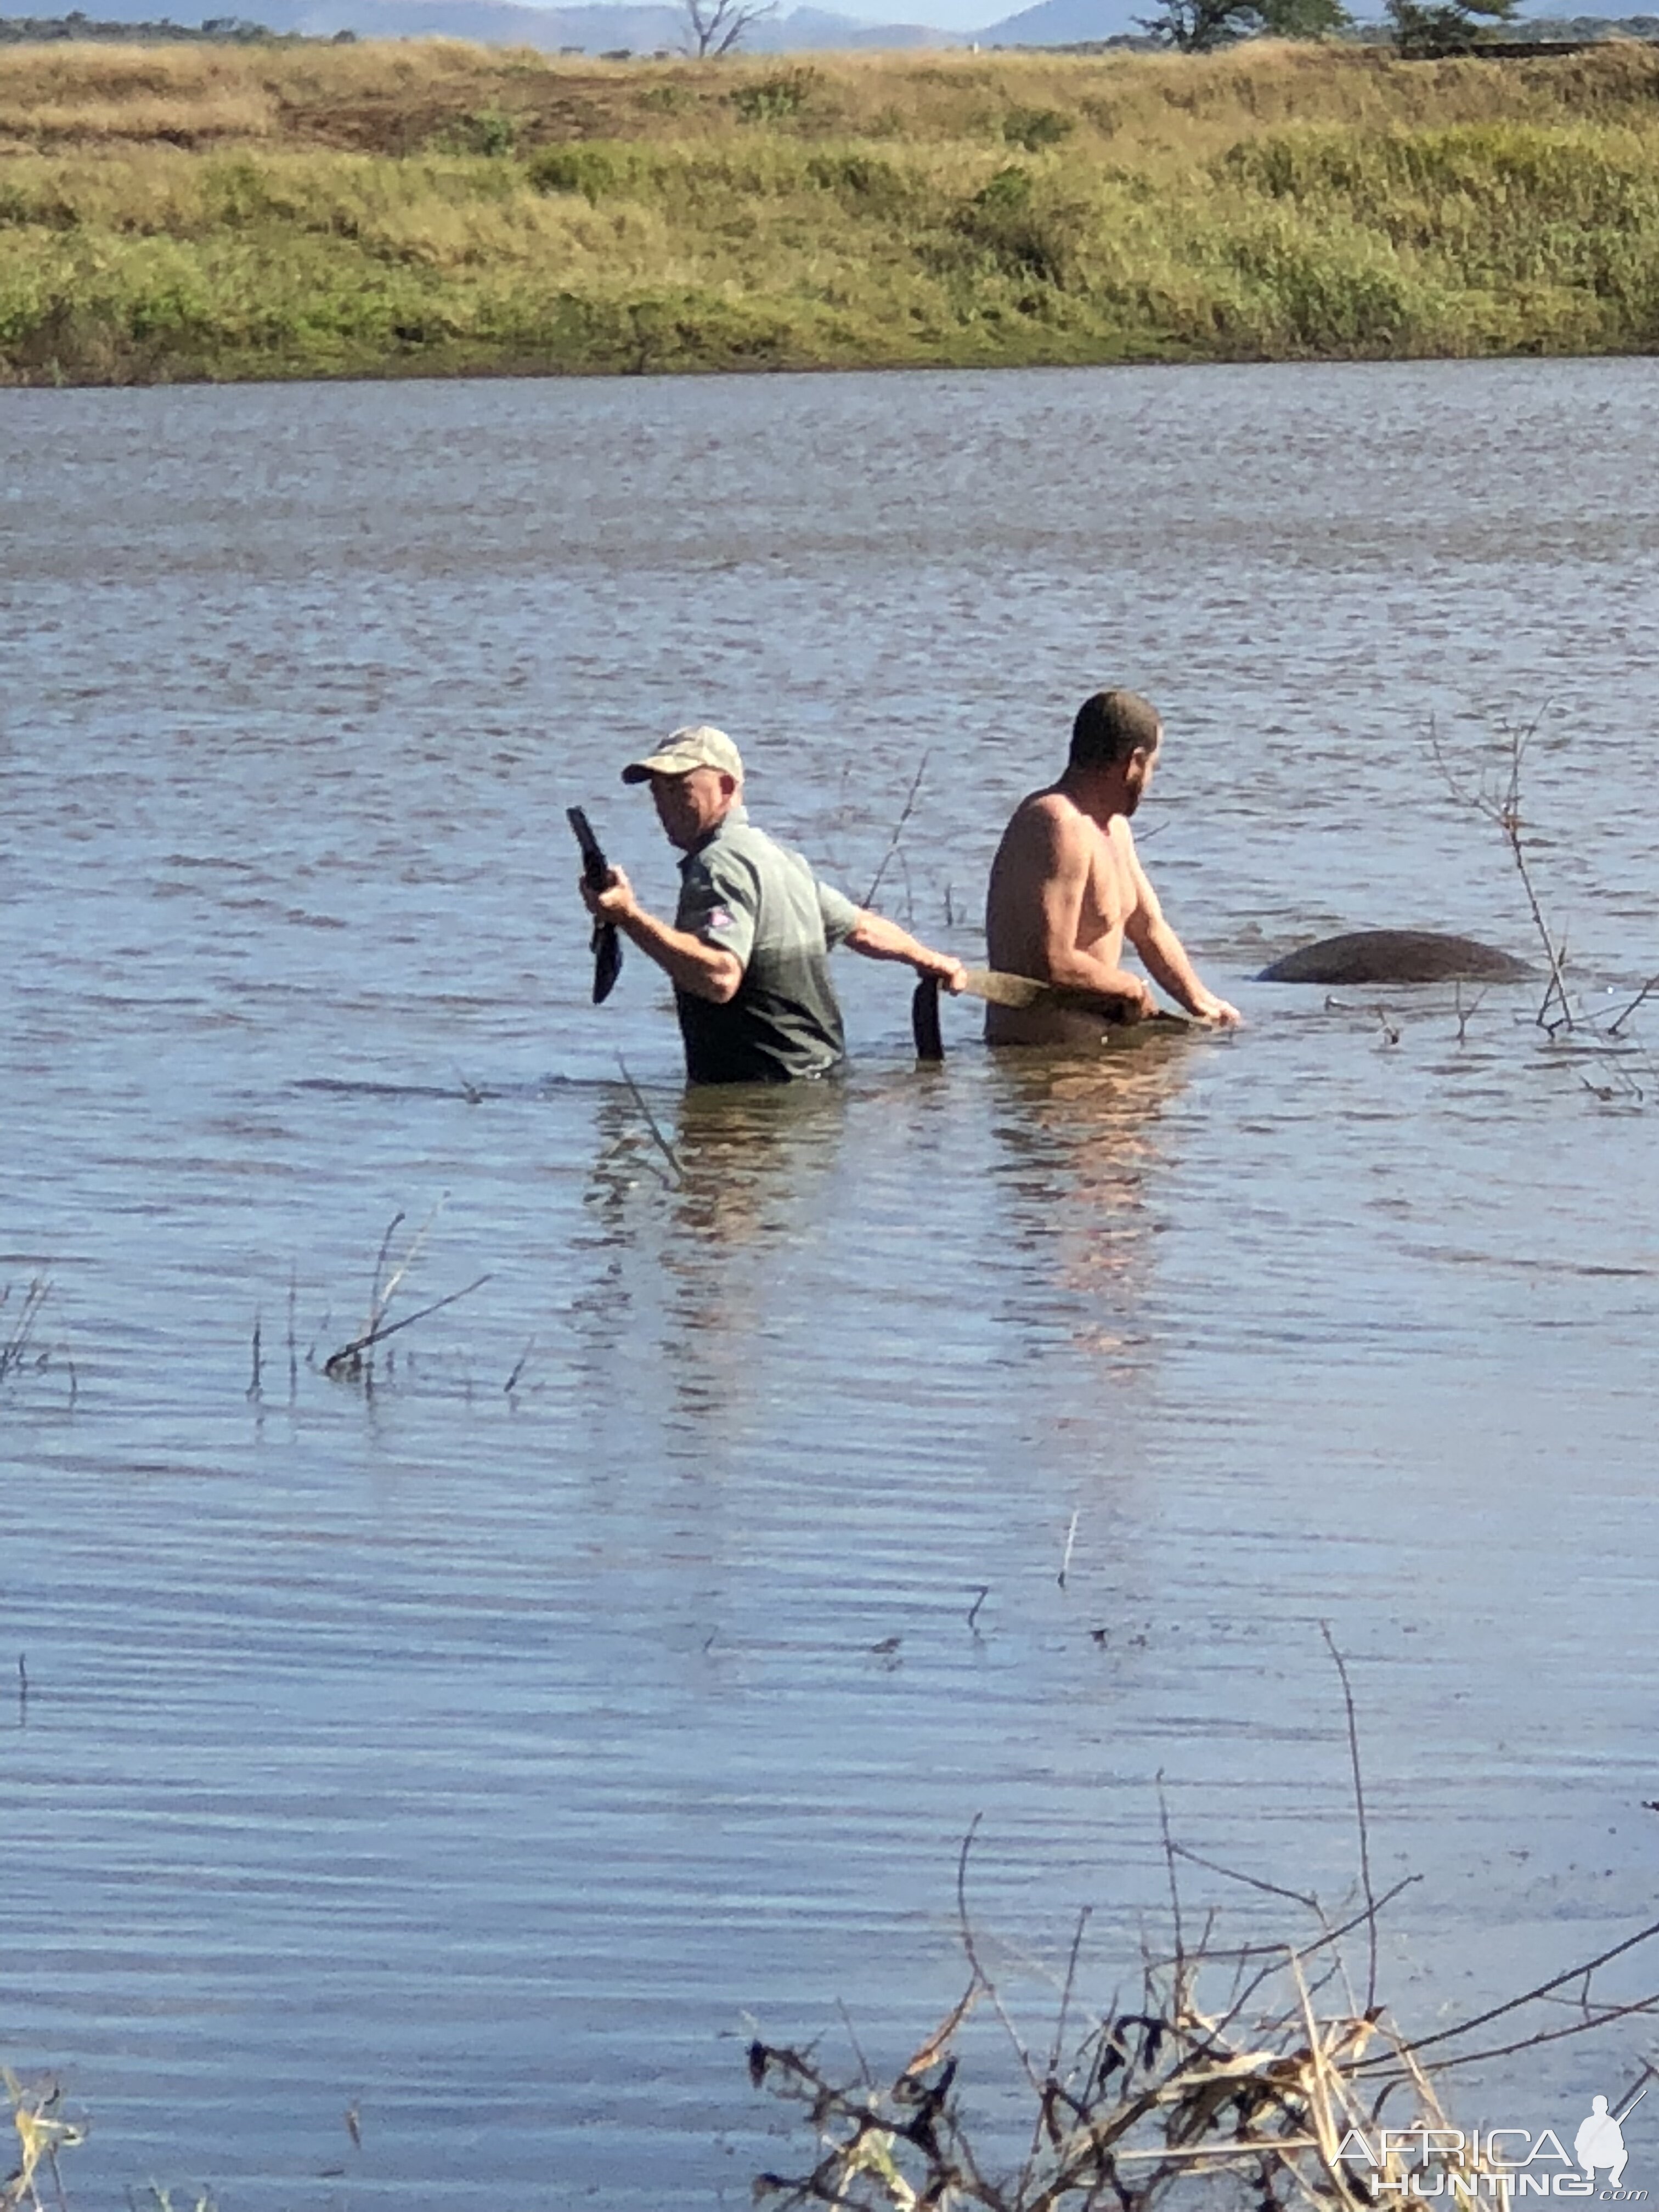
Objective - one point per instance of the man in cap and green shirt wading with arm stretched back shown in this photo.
(749, 950)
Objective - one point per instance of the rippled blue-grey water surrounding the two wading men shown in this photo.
(490, 1760)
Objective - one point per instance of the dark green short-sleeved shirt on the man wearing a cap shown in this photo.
(755, 899)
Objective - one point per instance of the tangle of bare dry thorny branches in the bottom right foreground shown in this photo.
(1169, 2091)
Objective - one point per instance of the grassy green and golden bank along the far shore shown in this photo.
(432, 209)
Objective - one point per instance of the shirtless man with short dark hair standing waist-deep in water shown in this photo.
(1067, 888)
